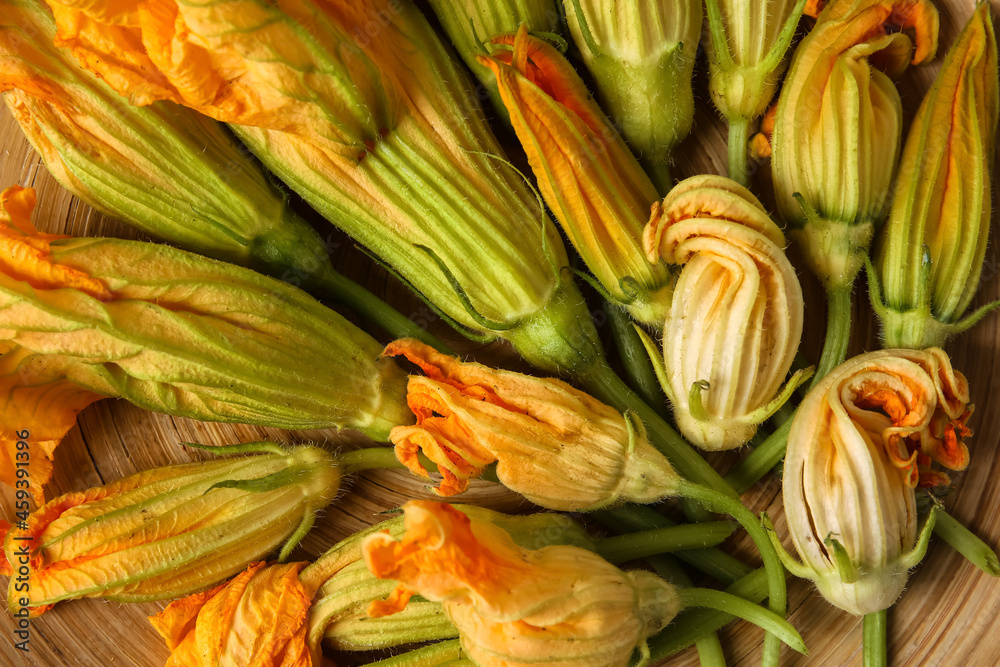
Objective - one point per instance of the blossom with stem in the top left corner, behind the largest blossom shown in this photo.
(164, 169)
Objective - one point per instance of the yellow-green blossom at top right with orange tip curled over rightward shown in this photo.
(838, 124)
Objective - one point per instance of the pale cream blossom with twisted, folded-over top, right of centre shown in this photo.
(736, 318)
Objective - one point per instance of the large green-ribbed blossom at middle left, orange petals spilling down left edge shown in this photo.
(172, 332)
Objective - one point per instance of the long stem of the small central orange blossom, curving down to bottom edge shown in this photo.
(777, 596)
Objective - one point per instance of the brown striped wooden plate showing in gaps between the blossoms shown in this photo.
(949, 615)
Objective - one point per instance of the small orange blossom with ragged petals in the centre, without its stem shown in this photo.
(557, 446)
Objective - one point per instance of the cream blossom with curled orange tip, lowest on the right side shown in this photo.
(862, 439)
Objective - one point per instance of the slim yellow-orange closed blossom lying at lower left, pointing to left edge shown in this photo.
(169, 531)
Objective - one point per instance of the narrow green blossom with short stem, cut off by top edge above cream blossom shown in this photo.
(749, 41)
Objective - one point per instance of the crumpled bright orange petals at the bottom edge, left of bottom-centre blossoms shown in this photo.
(258, 618)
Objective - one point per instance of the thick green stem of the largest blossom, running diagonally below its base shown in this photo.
(608, 387)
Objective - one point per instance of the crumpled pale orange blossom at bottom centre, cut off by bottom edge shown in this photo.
(514, 606)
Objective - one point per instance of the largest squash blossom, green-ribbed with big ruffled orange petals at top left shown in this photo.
(362, 111)
